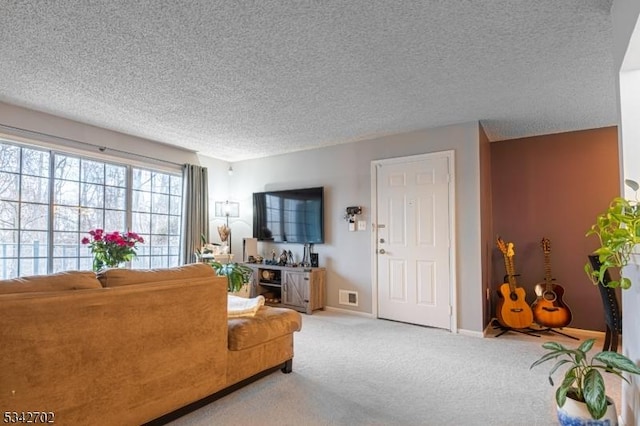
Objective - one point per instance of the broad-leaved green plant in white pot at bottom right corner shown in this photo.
(583, 385)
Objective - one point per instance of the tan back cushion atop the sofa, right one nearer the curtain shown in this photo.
(117, 277)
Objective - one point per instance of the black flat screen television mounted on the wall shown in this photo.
(289, 216)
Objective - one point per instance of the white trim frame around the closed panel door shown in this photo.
(453, 284)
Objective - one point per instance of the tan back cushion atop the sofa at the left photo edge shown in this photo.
(68, 280)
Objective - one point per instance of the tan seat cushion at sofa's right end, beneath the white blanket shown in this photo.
(267, 324)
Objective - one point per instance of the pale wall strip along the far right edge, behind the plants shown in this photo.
(625, 18)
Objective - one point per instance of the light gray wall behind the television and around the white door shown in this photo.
(344, 171)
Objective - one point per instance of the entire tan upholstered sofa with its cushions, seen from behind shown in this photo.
(129, 346)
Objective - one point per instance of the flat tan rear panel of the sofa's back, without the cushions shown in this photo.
(121, 355)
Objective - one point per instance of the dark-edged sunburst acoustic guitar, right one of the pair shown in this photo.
(548, 309)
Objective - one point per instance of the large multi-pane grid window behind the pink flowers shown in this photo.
(50, 200)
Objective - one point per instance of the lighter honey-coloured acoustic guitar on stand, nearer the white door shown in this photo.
(512, 311)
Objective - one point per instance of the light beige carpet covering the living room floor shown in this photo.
(351, 370)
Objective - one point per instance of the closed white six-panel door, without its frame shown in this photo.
(414, 198)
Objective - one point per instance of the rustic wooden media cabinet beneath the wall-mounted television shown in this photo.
(302, 289)
